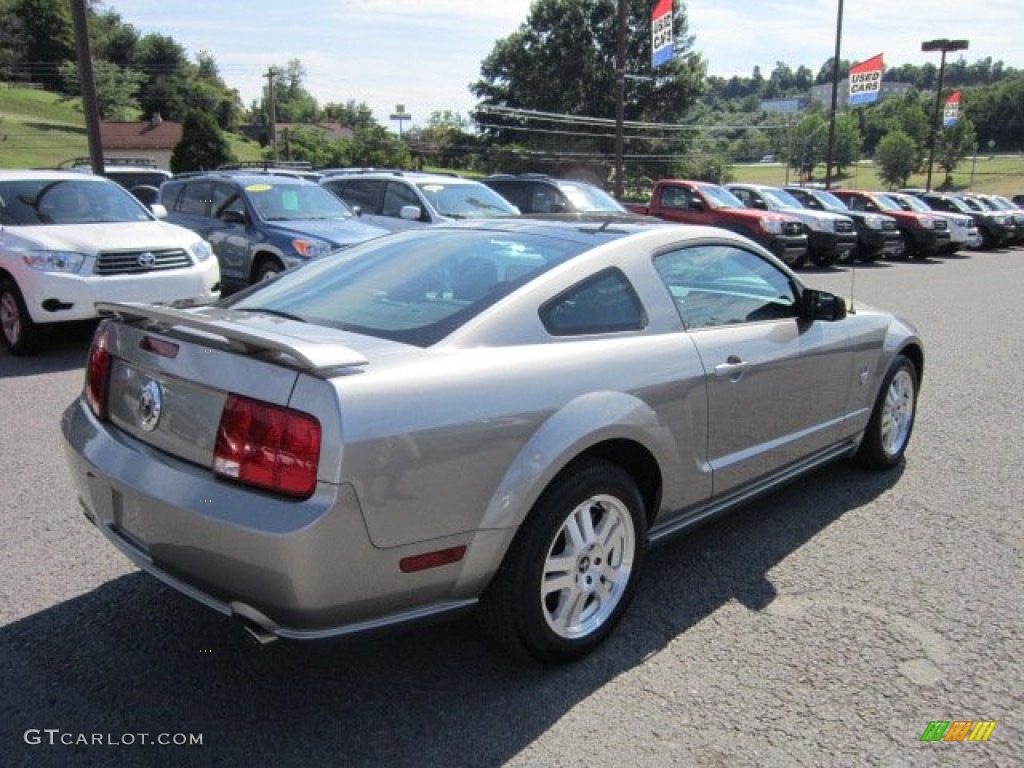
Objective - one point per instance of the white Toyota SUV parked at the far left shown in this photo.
(70, 240)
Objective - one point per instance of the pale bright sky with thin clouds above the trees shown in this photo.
(423, 55)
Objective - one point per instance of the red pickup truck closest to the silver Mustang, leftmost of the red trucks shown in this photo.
(704, 203)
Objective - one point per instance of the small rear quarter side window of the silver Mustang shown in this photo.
(603, 304)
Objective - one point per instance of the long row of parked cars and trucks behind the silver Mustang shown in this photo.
(262, 220)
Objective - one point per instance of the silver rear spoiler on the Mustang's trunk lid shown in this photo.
(304, 354)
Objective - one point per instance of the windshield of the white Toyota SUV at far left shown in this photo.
(56, 202)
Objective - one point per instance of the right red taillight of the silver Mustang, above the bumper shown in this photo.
(268, 446)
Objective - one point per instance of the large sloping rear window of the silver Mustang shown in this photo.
(414, 287)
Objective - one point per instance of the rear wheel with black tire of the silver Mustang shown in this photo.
(600, 577)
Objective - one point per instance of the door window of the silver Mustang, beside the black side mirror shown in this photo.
(726, 285)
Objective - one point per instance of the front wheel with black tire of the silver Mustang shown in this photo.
(895, 409)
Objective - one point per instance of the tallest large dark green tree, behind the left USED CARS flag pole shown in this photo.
(563, 61)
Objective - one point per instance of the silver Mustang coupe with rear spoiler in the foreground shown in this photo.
(497, 415)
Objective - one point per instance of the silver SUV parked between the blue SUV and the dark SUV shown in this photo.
(403, 200)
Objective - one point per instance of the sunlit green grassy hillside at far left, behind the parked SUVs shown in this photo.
(38, 131)
